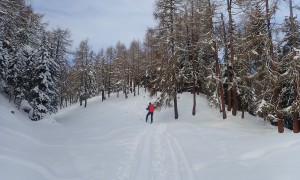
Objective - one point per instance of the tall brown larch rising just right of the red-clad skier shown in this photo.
(167, 13)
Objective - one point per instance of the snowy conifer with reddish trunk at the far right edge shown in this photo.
(289, 94)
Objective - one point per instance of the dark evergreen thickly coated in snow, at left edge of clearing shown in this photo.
(44, 93)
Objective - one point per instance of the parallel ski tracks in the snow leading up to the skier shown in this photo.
(156, 155)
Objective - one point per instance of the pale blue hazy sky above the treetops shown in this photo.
(103, 22)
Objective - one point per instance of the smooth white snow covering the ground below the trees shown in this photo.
(110, 141)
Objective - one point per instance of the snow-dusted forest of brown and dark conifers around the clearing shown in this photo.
(232, 51)
